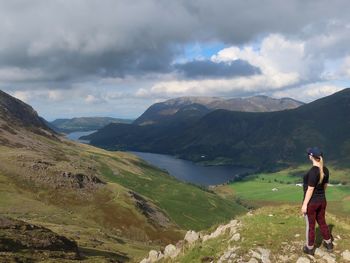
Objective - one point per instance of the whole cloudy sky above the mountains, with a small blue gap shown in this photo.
(117, 57)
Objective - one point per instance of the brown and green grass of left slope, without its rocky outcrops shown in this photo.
(105, 223)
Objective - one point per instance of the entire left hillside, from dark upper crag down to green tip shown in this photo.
(112, 204)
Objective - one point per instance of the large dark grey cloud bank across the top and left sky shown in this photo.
(68, 40)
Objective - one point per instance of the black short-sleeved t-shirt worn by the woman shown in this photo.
(311, 179)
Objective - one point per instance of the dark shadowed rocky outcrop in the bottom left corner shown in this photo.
(20, 238)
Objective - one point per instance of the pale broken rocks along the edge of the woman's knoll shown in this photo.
(233, 249)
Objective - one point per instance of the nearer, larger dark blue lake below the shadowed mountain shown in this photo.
(190, 172)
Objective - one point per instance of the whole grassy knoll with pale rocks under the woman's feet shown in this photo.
(280, 239)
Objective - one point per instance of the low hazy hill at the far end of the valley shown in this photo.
(84, 123)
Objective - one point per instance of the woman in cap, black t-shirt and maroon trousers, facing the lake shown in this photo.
(314, 202)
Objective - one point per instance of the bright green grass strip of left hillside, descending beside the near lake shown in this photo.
(186, 204)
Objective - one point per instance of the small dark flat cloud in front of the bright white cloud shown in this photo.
(209, 69)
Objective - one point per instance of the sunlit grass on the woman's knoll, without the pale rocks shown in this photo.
(281, 229)
